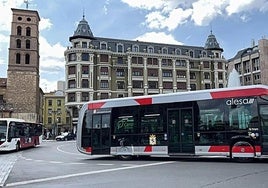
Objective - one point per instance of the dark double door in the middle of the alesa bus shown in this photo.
(180, 131)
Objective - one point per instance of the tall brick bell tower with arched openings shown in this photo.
(23, 90)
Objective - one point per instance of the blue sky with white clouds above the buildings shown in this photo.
(235, 23)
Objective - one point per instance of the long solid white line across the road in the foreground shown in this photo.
(85, 173)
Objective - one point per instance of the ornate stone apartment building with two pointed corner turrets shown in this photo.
(102, 68)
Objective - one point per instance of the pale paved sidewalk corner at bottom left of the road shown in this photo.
(7, 160)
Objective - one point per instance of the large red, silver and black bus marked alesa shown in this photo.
(226, 122)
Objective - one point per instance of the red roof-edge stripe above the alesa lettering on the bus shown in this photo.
(239, 93)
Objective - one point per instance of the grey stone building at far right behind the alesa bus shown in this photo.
(251, 64)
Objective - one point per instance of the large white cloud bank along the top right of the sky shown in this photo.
(169, 14)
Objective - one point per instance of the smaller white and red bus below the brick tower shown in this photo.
(16, 134)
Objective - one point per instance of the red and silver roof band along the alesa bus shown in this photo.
(242, 91)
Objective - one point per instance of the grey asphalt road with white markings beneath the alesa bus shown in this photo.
(59, 164)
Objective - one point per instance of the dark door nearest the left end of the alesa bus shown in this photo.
(101, 142)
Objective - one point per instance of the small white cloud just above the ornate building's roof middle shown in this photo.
(160, 37)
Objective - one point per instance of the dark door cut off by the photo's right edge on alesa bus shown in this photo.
(264, 127)
